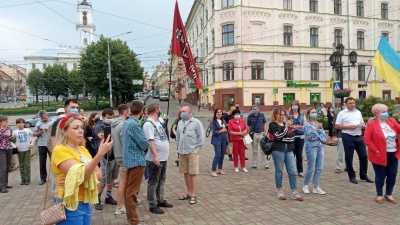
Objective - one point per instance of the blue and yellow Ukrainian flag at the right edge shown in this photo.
(387, 60)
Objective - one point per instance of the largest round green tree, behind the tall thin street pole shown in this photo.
(124, 68)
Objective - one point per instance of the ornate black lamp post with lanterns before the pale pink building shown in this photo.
(336, 63)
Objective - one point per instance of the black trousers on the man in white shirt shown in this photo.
(351, 143)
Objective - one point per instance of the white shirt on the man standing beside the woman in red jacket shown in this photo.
(347, 118)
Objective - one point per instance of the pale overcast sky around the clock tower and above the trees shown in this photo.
(151, 33)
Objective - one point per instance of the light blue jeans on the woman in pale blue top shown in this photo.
(315, 164)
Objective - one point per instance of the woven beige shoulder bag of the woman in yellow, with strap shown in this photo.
(55, 213)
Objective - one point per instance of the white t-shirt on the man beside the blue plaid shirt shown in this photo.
(160, 138)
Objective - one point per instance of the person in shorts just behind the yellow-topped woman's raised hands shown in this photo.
(109, 165)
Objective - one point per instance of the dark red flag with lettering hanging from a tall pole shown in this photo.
(181, 47)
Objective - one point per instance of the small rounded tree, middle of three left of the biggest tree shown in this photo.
(55, 80)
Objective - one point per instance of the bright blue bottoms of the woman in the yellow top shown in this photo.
(81, 216)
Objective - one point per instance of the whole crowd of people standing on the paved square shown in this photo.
(95, 151)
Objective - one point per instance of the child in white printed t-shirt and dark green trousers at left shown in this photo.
(21, 137)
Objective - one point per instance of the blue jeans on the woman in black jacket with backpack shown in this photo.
(287, 158)
